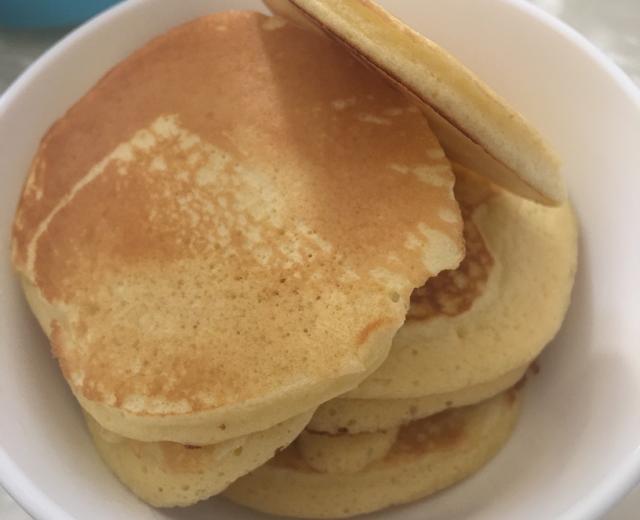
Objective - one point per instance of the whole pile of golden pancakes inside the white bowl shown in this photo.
(224, 237)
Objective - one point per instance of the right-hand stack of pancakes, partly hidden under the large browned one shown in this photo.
(446, 398)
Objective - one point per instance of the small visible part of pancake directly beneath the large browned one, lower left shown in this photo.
(167, 474)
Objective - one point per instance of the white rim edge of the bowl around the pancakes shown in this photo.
(622, 478)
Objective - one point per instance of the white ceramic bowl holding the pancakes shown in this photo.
(577, 448)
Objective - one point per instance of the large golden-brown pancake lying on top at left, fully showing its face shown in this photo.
(218, 237)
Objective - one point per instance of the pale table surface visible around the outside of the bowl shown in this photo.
(613, 25)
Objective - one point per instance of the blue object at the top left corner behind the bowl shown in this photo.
(49, 13)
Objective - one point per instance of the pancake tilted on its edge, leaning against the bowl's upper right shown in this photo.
(475, 126)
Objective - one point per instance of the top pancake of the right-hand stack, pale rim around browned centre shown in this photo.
(496, 312)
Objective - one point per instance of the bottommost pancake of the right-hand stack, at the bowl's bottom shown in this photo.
(428, 455)
